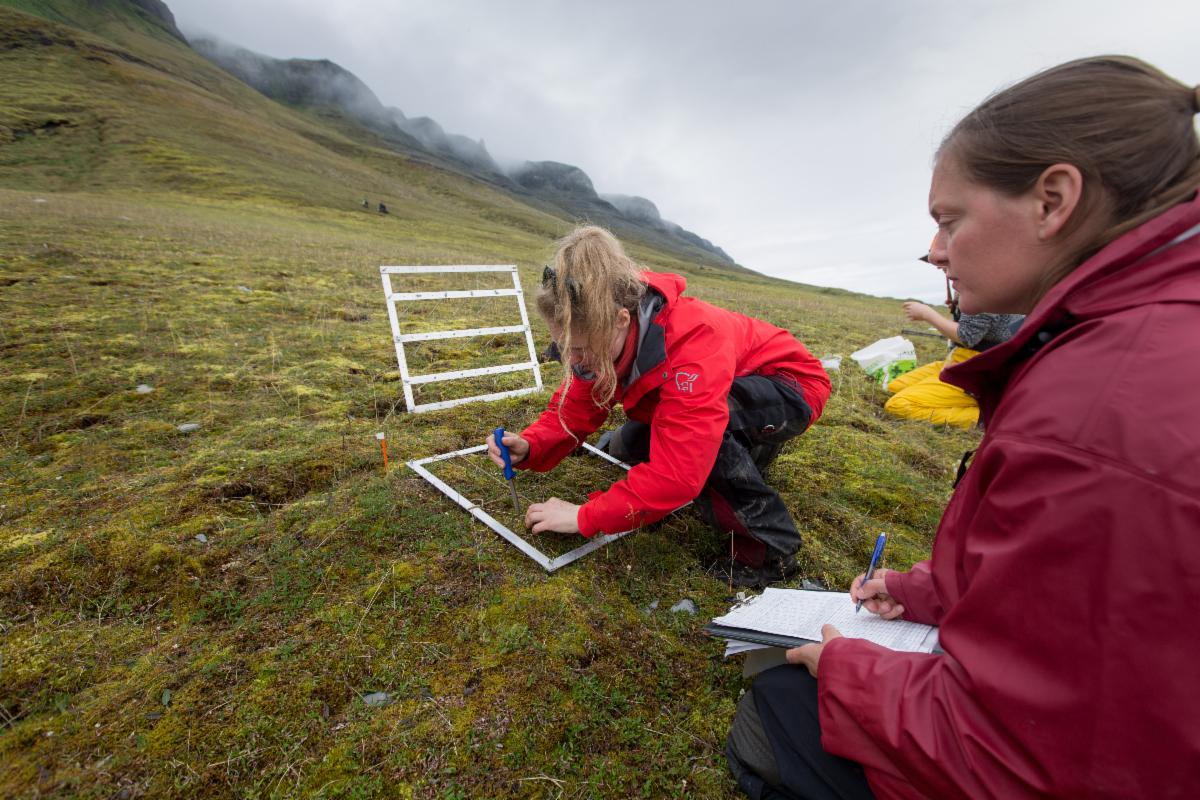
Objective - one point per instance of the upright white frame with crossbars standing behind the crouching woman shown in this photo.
(410, 381)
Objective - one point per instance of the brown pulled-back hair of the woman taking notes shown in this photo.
(1127, 127)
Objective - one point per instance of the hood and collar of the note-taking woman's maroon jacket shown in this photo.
(1154, 263)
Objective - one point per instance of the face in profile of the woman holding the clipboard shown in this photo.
(987, 243)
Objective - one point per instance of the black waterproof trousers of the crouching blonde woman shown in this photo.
(764, 414)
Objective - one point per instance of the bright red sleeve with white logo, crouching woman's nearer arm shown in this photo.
(686, 435)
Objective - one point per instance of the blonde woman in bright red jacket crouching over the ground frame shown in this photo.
(711, 395)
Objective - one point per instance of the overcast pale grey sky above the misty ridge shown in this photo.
(796, 135)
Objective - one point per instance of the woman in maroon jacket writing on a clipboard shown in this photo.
(1065, 568)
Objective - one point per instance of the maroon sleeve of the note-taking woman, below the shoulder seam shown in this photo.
(1065, 663)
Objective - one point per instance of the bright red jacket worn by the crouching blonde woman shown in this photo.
(688, 356)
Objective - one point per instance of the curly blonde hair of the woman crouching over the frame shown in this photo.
(583, 296)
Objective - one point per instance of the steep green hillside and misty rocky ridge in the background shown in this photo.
(117, 98)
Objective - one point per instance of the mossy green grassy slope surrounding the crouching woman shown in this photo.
(202, 615)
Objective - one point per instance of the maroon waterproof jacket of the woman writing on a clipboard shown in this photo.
(1066, 570)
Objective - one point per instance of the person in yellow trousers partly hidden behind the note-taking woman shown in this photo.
(920, 394)
